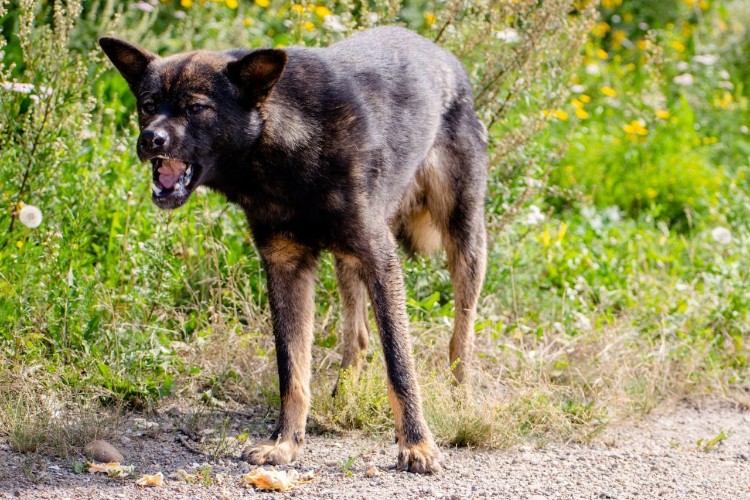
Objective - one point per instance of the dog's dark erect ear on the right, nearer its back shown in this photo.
(256, 73)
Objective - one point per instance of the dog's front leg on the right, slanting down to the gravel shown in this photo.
(384, 278)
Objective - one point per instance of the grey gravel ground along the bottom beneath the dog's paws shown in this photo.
(670, 454)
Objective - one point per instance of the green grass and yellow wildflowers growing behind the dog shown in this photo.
(608, 291)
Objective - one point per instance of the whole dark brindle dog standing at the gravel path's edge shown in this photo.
(349, 149)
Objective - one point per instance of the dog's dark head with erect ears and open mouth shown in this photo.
(196, 110)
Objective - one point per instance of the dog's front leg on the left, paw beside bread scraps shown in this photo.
(290, 276)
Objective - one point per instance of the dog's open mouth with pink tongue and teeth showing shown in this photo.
(172, 180)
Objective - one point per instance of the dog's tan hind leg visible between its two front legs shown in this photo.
(356, 330)
